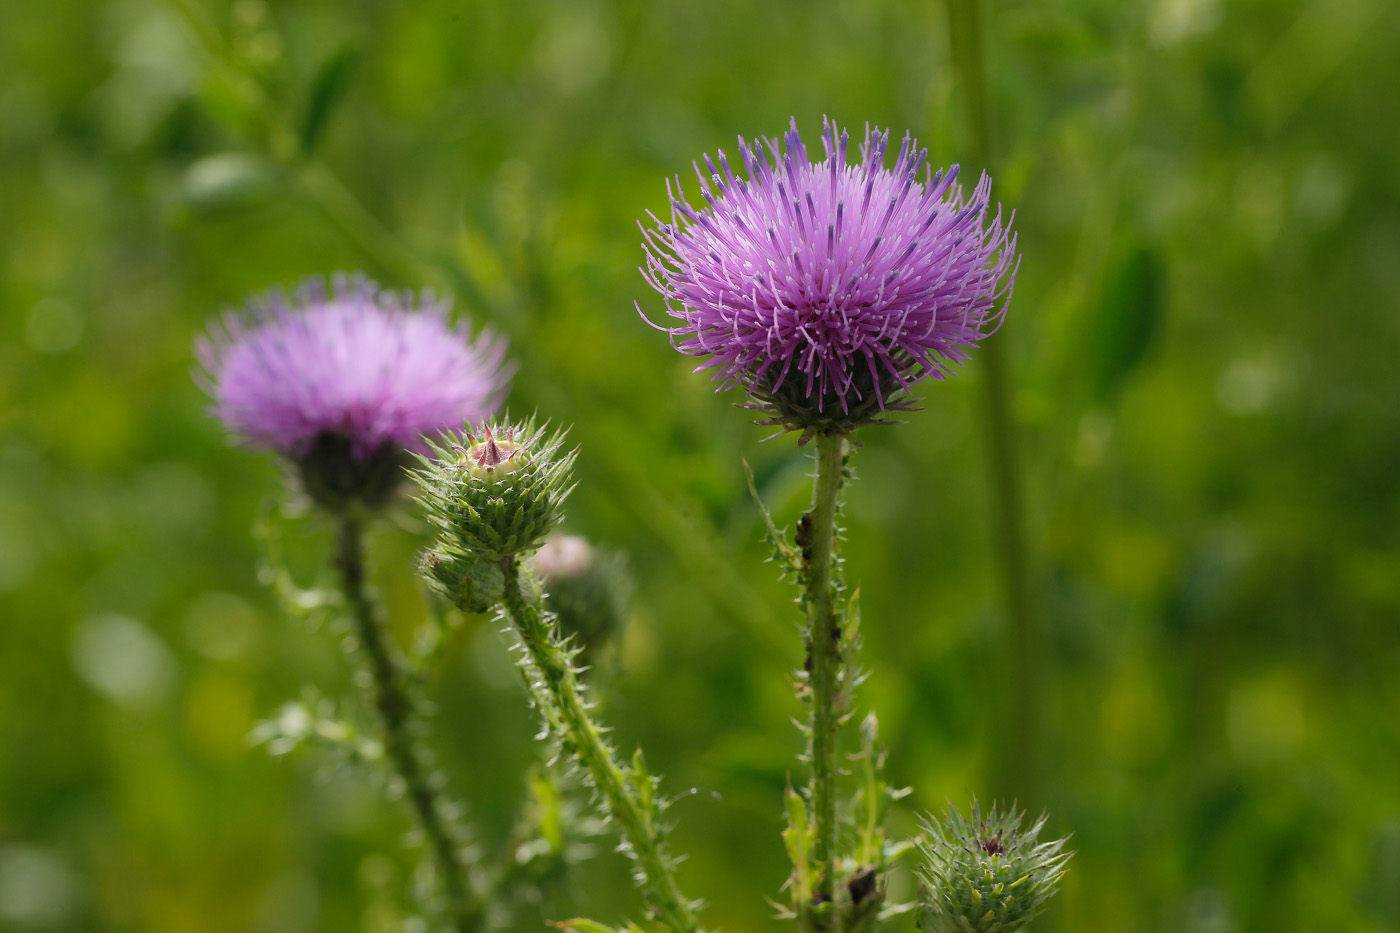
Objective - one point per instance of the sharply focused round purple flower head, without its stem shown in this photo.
(828, 289)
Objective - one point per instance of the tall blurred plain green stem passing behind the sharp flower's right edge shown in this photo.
(1018, 768)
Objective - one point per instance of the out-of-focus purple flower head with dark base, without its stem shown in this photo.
(344, 382)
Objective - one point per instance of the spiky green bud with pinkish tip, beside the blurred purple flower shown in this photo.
(495, 494)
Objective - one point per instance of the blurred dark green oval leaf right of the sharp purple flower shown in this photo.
(1128, 322)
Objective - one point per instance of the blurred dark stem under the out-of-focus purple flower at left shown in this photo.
(398, 714)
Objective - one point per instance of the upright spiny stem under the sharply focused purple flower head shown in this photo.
(824, 651)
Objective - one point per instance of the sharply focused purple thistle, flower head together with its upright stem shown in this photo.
(828, 291)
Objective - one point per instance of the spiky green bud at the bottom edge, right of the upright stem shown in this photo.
(986, 875)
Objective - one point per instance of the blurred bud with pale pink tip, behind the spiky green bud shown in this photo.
(587, 588)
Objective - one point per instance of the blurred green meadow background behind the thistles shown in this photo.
(1203, 379)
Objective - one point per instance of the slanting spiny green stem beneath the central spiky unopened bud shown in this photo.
(561, 698)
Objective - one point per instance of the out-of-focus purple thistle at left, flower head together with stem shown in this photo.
(344, 385)
